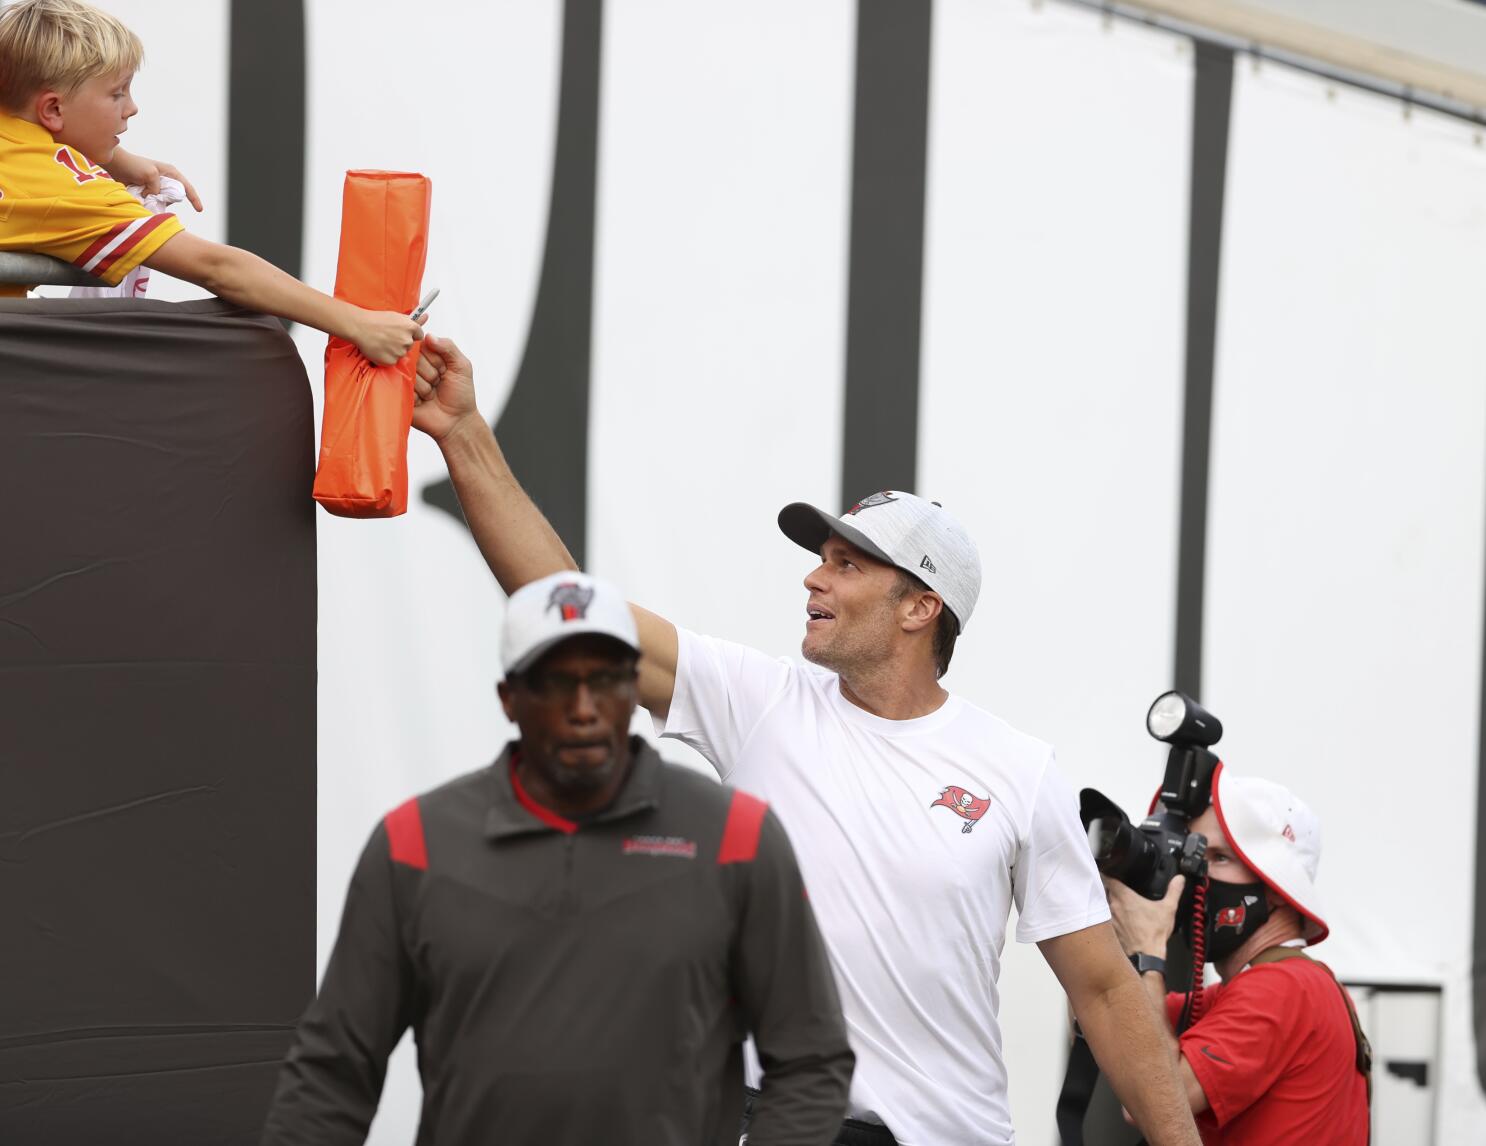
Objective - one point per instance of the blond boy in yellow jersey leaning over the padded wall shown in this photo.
(65, 100)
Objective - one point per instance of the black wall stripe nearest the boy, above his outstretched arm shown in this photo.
(267, 130)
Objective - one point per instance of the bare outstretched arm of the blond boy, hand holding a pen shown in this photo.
(243, 279)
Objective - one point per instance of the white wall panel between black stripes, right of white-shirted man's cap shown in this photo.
(1051, 401)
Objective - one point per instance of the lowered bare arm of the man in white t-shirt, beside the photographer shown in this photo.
(1126, 1032)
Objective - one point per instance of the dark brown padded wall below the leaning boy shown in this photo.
(157, 720)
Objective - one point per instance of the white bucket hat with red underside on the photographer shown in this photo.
(1279, 838)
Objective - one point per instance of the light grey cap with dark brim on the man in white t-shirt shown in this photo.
(906, 531)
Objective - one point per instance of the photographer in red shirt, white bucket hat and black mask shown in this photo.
(1274, 1053)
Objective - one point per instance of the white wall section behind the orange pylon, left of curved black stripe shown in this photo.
(408, 613)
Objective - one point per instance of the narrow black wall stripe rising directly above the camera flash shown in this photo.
(1213, 93)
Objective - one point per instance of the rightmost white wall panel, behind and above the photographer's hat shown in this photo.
(1344, 612)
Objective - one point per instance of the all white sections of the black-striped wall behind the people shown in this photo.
(1347, 519)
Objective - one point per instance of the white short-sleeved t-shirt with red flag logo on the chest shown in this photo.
(915, 839)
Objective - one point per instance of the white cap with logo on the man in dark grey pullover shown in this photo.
(558, 607)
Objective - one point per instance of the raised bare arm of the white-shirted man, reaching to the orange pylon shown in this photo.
(516, 540)
